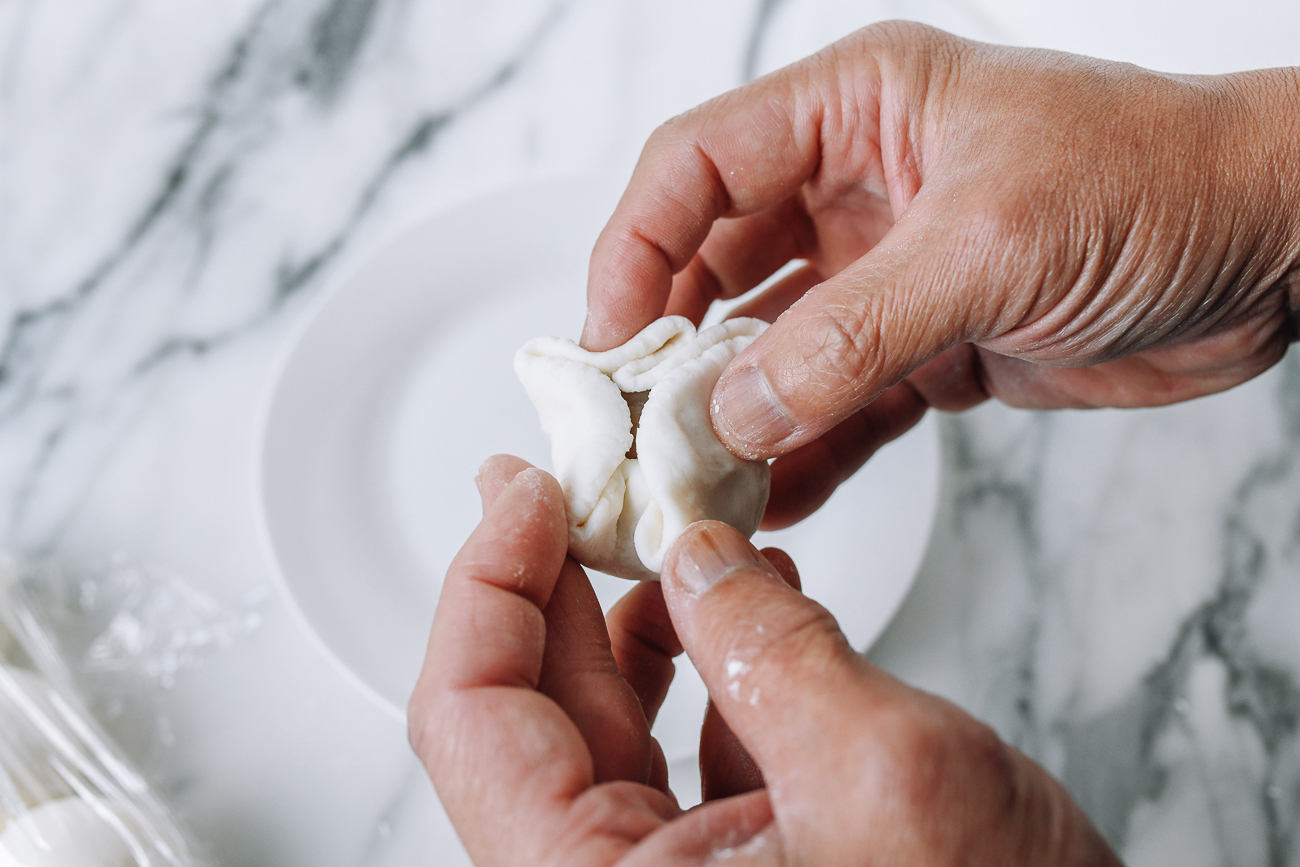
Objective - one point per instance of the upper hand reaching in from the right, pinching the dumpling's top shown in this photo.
(977, 222)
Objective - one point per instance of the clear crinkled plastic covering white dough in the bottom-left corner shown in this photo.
(68, 799)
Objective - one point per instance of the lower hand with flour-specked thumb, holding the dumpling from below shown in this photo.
(532, 718)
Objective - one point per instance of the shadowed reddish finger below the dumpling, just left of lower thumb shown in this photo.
(645, 644)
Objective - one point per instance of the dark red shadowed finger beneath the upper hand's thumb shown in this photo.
(805, 479)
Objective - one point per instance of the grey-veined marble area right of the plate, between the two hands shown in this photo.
(1130, 628)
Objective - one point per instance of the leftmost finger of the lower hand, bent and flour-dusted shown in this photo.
(478, 696)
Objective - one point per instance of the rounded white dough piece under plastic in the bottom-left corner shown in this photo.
(72, 834)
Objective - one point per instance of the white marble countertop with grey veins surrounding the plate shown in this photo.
(1116, 592)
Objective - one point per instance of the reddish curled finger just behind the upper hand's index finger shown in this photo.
(739, 255)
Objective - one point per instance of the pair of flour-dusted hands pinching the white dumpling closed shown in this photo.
(976, 222)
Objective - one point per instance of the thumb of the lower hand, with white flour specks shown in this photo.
(778, 667)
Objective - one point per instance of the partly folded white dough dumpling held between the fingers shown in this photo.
(625, 513)
